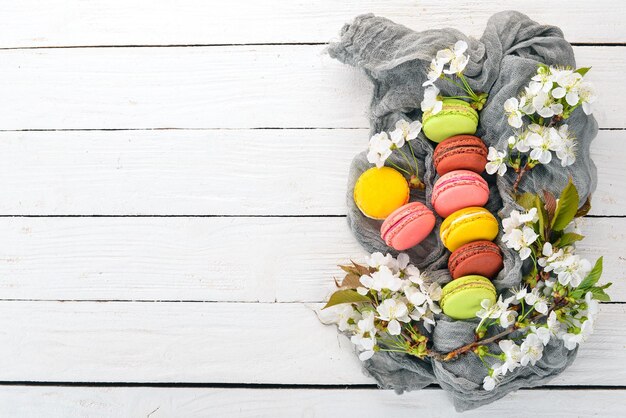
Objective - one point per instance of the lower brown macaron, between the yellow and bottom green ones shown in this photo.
(479, 257)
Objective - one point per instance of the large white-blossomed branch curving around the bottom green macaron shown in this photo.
(386, 304)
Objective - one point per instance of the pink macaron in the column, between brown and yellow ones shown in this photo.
(459, 189)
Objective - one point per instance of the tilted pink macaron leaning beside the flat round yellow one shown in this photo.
(407, 226)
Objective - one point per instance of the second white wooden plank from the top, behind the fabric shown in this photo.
(216, 87)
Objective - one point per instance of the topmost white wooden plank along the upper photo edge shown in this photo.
(141, 22)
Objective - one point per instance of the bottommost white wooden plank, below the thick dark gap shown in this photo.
(114, 402)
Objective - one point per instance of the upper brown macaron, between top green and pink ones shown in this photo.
(460, 152)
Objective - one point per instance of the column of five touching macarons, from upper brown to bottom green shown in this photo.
(468, 228)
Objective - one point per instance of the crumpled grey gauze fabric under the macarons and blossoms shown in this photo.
(502, 62)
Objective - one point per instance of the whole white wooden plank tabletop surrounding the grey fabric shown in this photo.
(172, 180)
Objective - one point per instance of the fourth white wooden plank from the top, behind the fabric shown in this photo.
(208, 259)
